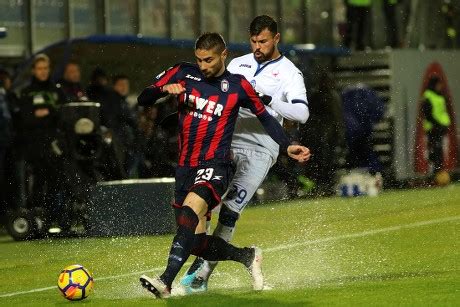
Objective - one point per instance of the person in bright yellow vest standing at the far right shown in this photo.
(436, 121)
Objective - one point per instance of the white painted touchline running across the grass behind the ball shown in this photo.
(278, 248)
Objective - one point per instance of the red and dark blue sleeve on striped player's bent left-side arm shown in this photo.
(153, 92)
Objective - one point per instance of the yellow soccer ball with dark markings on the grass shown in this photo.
(75, 282)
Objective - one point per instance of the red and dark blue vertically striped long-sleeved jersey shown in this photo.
(208, 110)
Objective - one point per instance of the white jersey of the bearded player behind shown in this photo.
(283, 81)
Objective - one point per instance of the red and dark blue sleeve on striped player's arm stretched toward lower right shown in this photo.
(252, 101)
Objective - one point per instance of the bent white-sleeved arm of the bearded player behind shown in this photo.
(295, 107)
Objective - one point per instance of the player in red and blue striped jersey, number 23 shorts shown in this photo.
(209, 99)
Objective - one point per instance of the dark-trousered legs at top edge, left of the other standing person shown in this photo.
(357, 22)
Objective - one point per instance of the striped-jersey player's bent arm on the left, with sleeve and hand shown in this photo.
(164, 84)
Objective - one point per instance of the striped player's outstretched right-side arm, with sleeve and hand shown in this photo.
(272, 126)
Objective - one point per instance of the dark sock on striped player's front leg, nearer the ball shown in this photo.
(182, 244)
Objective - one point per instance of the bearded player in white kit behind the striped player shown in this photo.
(281, 86)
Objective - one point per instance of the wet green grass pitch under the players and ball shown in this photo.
(400, 248)
